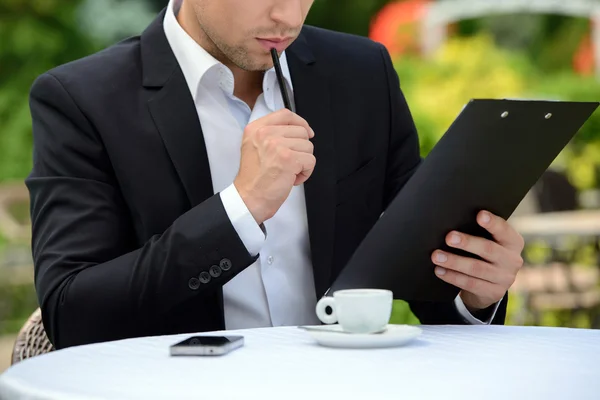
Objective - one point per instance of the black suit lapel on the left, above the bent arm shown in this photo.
(174, 114)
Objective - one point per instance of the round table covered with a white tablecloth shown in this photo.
(446, 362)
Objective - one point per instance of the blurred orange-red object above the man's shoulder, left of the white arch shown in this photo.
(397, 25)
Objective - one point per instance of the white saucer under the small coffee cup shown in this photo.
(393, 336)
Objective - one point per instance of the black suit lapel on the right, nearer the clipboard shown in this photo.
(313, 102)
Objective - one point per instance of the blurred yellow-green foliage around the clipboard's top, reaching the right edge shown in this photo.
(475, 67)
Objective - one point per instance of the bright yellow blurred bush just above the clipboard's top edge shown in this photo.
(465, 68)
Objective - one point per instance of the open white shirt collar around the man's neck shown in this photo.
(196, 62)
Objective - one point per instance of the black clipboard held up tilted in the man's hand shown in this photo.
(491, 156)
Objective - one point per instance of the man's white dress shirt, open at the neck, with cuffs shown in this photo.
(278, 289)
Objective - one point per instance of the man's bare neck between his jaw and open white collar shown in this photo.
(248, 84)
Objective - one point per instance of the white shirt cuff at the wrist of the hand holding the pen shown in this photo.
(251, 234)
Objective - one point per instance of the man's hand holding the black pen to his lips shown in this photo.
(276, 155)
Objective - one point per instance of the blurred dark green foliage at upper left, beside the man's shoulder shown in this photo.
(36, 36)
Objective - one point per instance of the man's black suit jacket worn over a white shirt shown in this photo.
(125, 222)
